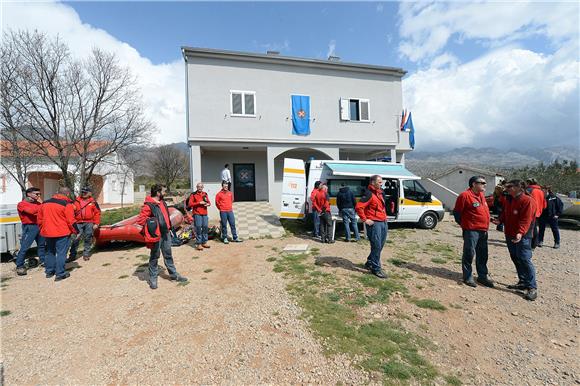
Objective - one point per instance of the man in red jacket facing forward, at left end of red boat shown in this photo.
(88, 217)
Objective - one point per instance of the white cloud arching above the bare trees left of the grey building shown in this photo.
(162, 85)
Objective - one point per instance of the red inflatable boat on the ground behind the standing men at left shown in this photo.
(128, 230)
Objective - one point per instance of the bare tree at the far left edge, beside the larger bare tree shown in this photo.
(16, 157)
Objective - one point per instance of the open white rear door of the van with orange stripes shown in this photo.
(293, 189)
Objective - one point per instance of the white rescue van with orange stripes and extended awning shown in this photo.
(407, 200)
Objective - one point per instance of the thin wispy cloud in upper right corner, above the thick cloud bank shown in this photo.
(426, 28)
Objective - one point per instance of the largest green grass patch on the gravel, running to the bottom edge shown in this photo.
(331, 306)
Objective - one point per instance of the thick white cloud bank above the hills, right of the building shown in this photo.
(508, 98)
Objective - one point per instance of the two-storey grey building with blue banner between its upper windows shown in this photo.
(239, 112)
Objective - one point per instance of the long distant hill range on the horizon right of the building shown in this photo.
(428, 164)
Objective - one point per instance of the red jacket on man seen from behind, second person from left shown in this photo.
(56, 217)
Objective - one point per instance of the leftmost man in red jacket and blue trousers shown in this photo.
(28, 210)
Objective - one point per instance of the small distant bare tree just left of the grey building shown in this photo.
(168, 163)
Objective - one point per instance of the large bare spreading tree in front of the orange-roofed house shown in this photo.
(80, 112)
